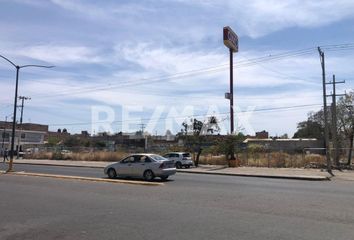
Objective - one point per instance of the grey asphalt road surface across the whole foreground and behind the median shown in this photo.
(187, 207)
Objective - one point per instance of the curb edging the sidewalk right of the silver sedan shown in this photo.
(290, 177)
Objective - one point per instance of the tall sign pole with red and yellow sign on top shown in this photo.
(231, 41)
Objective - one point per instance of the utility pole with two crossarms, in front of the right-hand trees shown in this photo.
(334, 120)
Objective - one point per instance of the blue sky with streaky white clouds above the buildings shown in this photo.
(164, 57)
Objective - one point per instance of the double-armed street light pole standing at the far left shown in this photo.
(15, 107)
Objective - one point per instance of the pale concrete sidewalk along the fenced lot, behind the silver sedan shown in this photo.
(284, 173)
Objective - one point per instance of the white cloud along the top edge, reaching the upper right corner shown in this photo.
(259, 17)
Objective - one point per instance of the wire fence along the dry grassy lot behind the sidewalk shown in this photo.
(274, 158)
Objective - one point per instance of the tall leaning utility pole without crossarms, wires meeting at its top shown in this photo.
(326, 130)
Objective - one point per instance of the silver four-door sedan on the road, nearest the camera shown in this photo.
(146, 166)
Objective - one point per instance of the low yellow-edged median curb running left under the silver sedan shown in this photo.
(85, 178)
